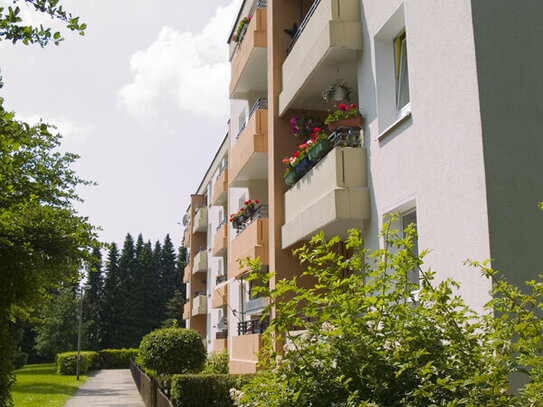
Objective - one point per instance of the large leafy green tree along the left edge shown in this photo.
(42, 240)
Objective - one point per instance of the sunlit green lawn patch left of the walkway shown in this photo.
(40, 386)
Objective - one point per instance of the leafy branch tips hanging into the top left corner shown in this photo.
(13, 29)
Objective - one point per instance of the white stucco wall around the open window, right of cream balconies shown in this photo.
(435, 157)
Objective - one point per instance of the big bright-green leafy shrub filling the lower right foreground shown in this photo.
(368, 340)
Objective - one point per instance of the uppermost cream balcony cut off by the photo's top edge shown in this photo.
(327, 43)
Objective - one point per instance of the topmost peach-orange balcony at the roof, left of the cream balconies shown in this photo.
(249, 56)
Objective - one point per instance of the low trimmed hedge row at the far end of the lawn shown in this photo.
(104, 359)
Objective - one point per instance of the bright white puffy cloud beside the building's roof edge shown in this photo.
(192, 70)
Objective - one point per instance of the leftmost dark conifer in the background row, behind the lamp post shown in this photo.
(91, 301)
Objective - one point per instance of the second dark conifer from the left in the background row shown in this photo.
(110, 309)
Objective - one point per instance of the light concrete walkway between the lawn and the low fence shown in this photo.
(106, 388)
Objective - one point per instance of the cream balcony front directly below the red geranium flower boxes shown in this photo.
(333, 197)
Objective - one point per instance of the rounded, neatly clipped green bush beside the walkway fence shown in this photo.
(172, 350)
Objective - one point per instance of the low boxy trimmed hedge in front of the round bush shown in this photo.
(190, 390)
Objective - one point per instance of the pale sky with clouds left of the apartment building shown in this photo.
(142, 97)
